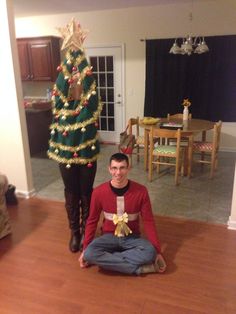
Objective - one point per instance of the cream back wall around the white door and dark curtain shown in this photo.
(129, 26)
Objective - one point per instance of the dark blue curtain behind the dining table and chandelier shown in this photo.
(208, 80)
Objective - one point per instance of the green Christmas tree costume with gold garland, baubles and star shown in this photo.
(74, 138)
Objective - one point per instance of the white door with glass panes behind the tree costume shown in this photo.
(107, 65)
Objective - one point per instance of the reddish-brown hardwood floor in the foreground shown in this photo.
(38, 274)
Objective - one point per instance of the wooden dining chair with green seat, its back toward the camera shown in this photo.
(168, 155)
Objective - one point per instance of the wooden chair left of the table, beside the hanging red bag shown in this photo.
(133, 128)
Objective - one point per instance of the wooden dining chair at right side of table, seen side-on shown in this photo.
(206, 151)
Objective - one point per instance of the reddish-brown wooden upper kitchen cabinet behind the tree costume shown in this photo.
(39, 58)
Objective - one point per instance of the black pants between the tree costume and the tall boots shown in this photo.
(78, 179)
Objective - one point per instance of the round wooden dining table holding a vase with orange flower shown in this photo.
(193, 126)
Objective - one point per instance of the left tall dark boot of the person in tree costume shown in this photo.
(72, 205)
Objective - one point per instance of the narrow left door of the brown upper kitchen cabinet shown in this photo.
(24, 60)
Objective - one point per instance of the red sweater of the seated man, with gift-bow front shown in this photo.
(136, 200)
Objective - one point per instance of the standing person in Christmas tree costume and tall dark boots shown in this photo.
(74, 138)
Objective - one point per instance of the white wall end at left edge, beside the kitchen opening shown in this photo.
(14, 148)
